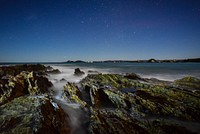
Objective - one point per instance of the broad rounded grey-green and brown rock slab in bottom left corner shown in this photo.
(31, 114)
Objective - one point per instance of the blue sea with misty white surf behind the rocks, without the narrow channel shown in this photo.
(162, 71)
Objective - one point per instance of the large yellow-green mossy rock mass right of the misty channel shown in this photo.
(123, 105)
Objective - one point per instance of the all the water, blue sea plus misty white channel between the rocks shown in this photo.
(79, 118)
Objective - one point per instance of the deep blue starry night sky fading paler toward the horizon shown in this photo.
(59, 30)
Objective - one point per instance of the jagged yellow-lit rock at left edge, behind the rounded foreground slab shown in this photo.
(22, 84)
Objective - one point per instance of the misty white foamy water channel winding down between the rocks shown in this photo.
(77, 117)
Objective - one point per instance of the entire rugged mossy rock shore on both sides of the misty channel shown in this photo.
(114, 103)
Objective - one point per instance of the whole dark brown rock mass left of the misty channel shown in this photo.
(25, 104)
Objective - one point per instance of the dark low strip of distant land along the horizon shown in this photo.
(139, 61)
